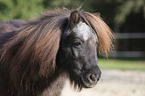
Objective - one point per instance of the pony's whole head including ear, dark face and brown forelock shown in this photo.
(84, 33)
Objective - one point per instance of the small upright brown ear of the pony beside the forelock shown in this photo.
(74, 18)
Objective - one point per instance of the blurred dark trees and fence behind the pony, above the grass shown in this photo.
(125, 17)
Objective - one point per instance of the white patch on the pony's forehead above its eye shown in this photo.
(84, 31)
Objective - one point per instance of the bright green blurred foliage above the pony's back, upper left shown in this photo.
(15, 9)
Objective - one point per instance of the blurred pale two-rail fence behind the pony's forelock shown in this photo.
(119, 36)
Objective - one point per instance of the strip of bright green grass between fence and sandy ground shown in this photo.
(121, 64)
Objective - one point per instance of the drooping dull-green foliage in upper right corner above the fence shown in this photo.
(127, 7)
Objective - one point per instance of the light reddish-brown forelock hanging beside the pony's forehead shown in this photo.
(102, 30)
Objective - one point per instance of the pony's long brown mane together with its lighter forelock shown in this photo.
(31, 53)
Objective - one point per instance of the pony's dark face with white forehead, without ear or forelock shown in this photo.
(79, 55)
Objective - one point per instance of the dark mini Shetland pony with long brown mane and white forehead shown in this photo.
(38, 55)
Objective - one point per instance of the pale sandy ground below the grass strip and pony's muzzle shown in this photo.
(113, 83)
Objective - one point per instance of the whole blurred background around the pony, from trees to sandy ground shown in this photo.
(126, 18)
